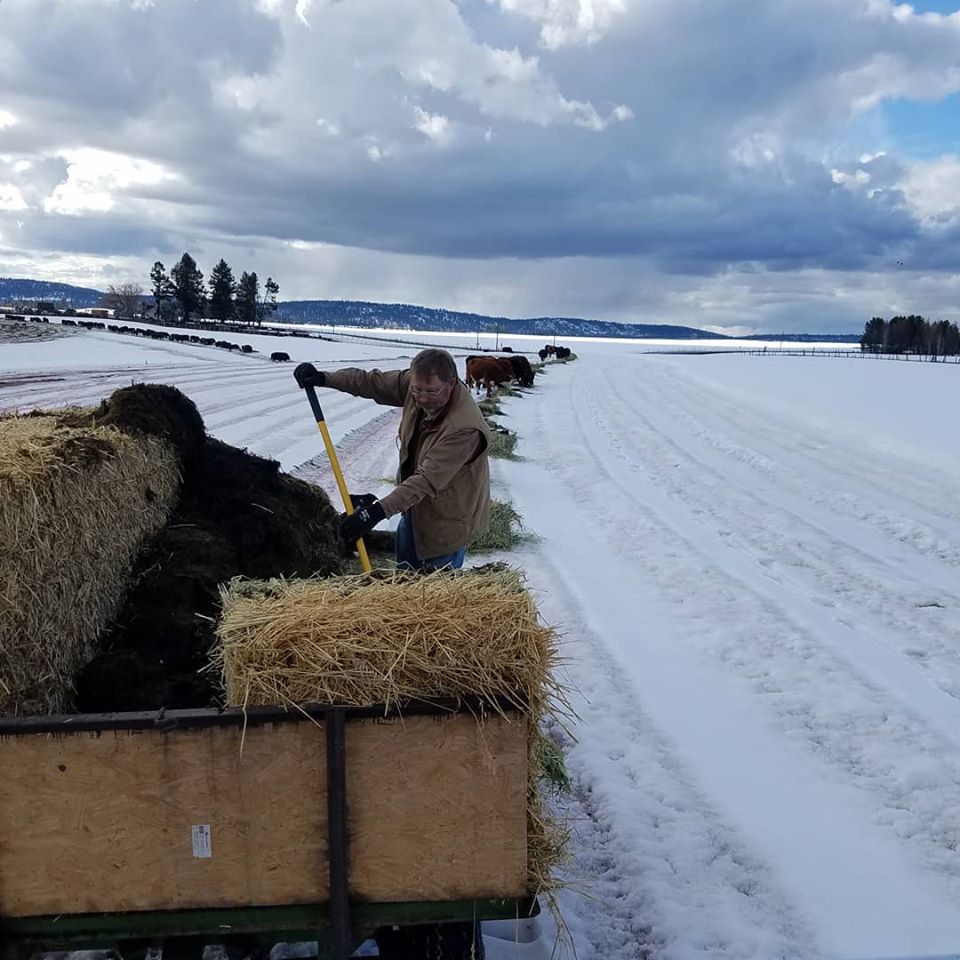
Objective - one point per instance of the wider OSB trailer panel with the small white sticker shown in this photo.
(92, 823)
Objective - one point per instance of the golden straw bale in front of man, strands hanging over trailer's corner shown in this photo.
(395, 638)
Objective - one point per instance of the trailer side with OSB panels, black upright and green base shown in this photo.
(176, 829)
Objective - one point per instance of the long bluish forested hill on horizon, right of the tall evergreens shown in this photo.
(358, 313)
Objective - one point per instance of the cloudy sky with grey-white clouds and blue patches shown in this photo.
(737, 165)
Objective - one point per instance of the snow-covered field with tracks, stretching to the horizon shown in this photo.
(755, 563)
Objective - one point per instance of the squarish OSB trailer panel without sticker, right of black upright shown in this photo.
(437, 808)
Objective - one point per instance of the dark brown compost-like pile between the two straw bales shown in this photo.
(237, 515)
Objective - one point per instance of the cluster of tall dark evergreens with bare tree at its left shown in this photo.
(184, 290)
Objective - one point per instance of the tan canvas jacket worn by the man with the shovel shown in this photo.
(444, 475)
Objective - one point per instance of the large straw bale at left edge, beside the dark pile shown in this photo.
(76, 503)
